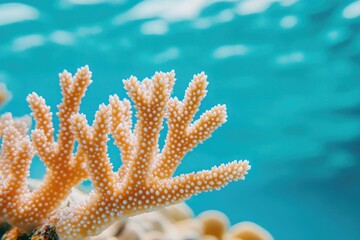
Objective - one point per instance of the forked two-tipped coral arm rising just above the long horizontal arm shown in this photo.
(182, 137)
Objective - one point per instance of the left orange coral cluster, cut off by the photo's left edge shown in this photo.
(21, 207)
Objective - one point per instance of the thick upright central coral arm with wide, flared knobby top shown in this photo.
(150, 100)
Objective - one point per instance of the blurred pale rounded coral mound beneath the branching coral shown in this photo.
(178, 222)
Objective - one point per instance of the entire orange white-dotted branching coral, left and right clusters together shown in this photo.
(144, 181)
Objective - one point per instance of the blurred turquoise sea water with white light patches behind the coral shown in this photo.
(288, 71)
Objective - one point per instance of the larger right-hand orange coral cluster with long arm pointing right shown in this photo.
(144, 181)
